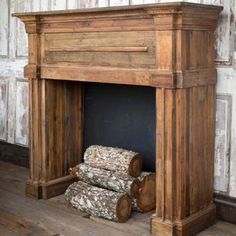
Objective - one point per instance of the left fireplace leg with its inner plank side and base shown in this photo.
(55, 135)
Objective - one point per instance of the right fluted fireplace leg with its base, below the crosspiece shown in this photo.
(184, 160)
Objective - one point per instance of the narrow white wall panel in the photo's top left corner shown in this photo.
(4, 16)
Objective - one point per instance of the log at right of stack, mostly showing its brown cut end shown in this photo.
(145, 200)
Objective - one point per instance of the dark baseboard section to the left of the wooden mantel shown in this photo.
(15, 154)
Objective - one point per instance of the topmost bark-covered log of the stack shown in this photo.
(122, 161)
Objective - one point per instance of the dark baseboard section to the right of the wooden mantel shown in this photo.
(225, 207)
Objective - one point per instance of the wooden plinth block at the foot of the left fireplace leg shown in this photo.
(50, 189)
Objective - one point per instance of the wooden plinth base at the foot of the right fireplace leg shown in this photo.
(186, 227)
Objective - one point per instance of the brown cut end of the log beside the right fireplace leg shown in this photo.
(146, 198)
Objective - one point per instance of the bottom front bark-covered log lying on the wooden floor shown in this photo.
(99, 202)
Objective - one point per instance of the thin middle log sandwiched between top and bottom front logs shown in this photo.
(106, 179)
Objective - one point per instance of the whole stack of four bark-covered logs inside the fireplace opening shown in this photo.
(111, 183)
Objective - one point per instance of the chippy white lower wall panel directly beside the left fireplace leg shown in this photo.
(21, 113)
